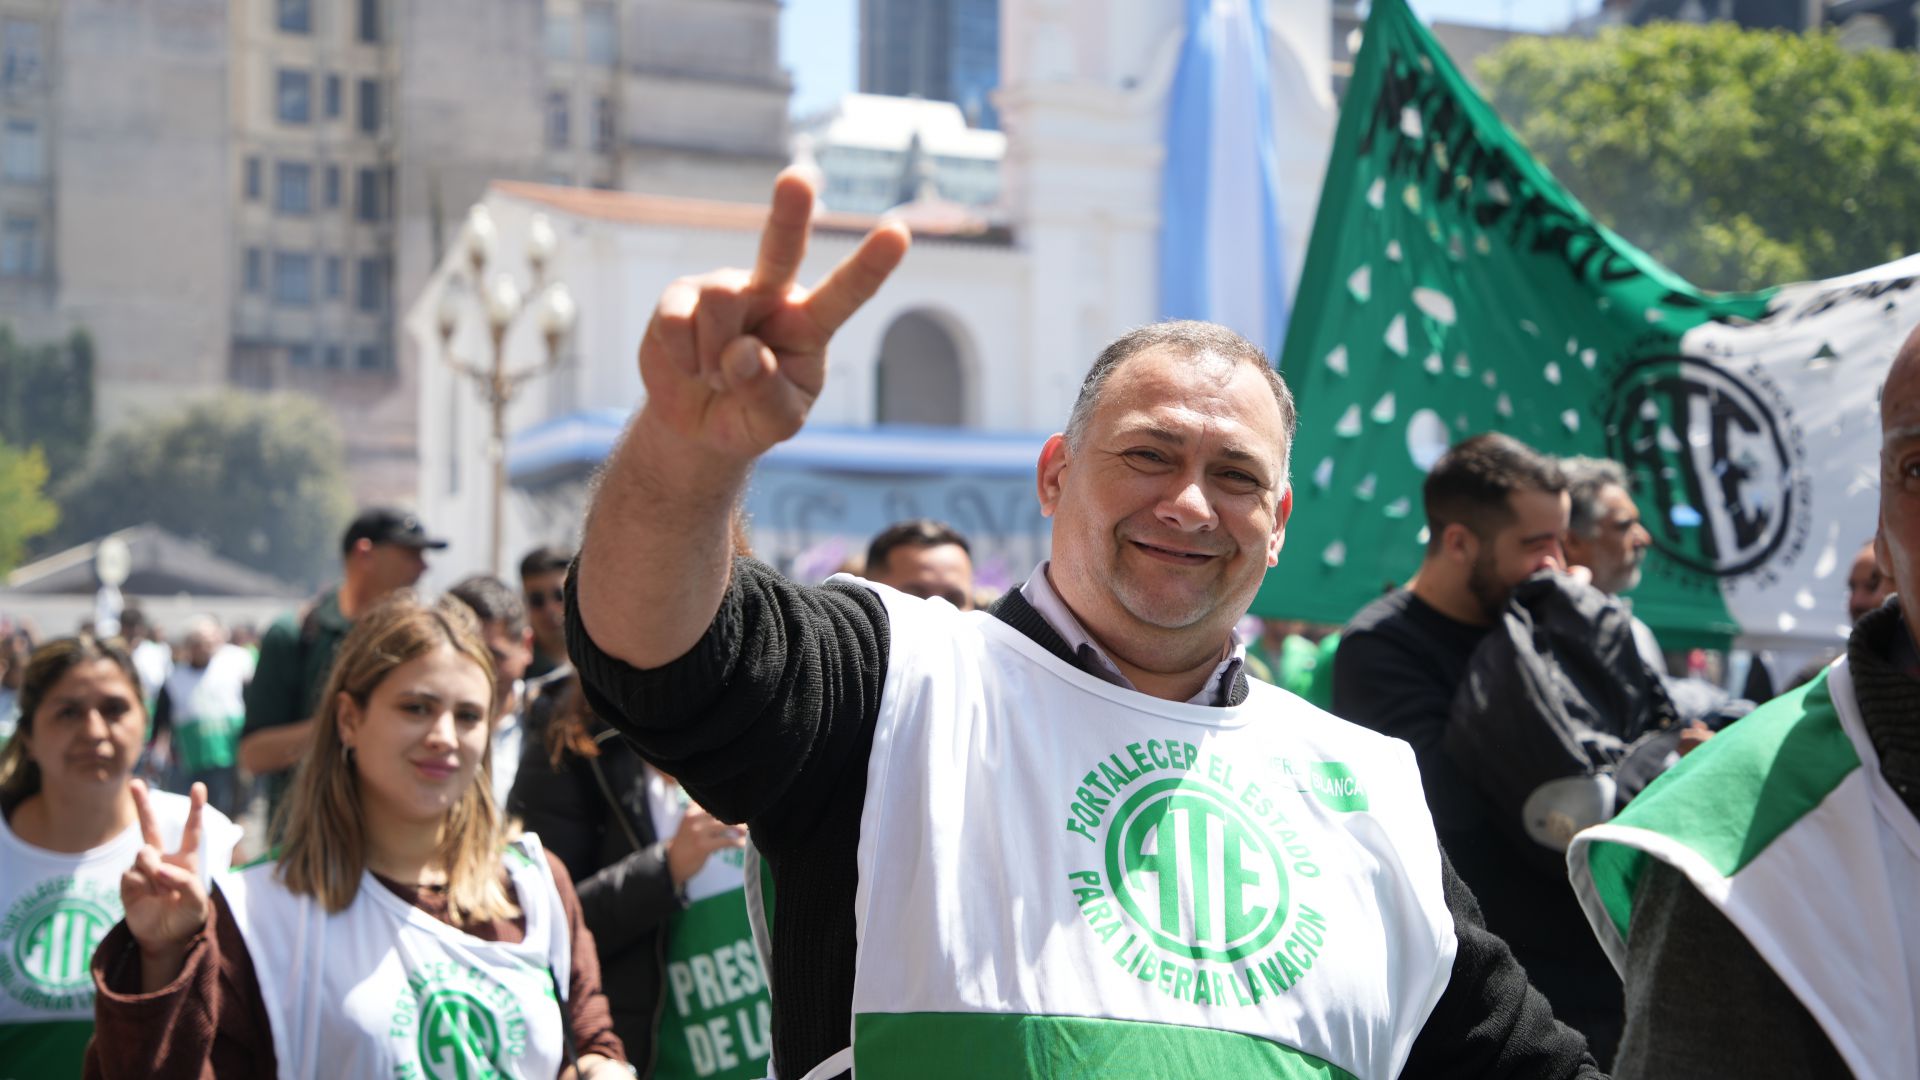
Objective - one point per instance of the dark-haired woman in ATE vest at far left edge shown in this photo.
(70, 823)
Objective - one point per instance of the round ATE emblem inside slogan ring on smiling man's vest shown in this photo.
(1195, 871)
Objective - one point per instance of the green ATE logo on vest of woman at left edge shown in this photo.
(49, 939)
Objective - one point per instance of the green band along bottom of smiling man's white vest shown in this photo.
(965, 1046)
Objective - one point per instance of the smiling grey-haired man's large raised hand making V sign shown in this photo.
(734, 360)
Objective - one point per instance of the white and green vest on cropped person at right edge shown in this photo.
(1787, 825)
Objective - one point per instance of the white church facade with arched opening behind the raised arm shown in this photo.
(942, 389)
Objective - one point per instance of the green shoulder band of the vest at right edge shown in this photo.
(1737, 795)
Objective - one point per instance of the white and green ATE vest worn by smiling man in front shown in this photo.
(1061, 877)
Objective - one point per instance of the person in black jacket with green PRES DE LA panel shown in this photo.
(661, 889)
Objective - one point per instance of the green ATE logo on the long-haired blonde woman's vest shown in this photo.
(464, 1025)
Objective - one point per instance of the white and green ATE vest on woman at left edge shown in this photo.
(53, 914)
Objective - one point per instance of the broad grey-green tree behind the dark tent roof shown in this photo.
(262, 479)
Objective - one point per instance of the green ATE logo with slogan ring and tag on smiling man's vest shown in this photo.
(1189, 873)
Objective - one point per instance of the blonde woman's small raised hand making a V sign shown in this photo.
(162, 895)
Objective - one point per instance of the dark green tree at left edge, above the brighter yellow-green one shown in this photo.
(47, 399)
